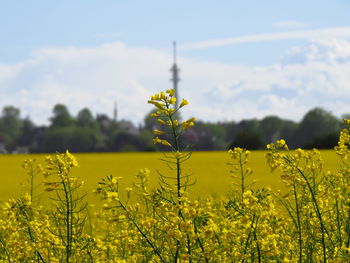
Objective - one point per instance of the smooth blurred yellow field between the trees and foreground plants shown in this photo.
(209, 168)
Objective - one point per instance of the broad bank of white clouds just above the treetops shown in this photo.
(96, 77)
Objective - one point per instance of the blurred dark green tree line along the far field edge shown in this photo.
(87, 133)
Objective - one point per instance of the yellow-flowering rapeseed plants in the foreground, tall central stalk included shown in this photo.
(307, 222)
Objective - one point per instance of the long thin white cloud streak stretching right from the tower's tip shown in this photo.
(301, 34)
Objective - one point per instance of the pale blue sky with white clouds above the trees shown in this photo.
(238, 59)
